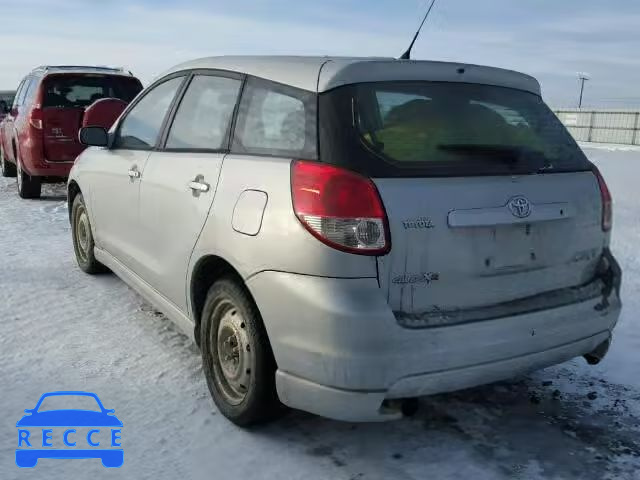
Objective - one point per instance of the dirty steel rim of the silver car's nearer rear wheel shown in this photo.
(232, 353)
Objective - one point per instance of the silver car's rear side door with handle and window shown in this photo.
(180, 181)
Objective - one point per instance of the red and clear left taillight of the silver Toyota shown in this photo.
(340, 208)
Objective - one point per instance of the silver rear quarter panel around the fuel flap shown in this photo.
(282, 243)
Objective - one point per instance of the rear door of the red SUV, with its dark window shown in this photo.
(64, 99)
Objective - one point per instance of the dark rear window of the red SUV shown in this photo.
(79, 91)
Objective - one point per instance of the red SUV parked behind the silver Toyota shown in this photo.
(39, 135)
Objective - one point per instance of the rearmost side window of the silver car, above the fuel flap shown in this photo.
(276, 120)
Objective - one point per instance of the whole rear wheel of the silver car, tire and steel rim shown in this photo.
(231, 326)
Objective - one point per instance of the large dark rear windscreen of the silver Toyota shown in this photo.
(444, 128)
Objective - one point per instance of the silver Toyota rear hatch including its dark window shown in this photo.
(489, 201)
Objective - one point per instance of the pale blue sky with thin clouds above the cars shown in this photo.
(549, 39)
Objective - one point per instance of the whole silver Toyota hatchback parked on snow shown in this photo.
(343, 235)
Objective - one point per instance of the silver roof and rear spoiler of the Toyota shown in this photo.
(319, 74)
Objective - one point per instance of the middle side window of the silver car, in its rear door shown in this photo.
(204, 115)
